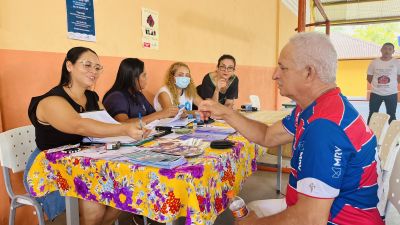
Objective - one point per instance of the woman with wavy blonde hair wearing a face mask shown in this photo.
(179, 89)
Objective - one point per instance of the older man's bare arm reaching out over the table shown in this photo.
(254, 131)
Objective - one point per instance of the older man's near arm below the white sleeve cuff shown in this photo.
(308, 210)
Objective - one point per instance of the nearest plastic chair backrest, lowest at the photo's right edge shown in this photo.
(394, 185)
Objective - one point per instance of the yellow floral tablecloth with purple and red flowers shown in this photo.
(196, 190)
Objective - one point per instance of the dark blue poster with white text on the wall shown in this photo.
(80, 20)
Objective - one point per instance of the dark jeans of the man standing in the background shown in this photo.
(375, 102)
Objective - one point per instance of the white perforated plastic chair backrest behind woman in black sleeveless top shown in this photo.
(16, 146)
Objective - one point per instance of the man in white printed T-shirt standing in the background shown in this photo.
(383, 74)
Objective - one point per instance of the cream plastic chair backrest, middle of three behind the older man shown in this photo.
(390, 141)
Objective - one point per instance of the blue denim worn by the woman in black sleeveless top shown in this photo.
(53, 203)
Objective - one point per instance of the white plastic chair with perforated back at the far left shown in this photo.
(16, 145)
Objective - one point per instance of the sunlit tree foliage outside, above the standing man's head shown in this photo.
(378, 33)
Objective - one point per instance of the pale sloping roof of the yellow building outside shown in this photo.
(348, 47)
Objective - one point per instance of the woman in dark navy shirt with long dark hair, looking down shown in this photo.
(125, 100)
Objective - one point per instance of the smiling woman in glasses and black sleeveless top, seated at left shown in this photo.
(55, 116)
